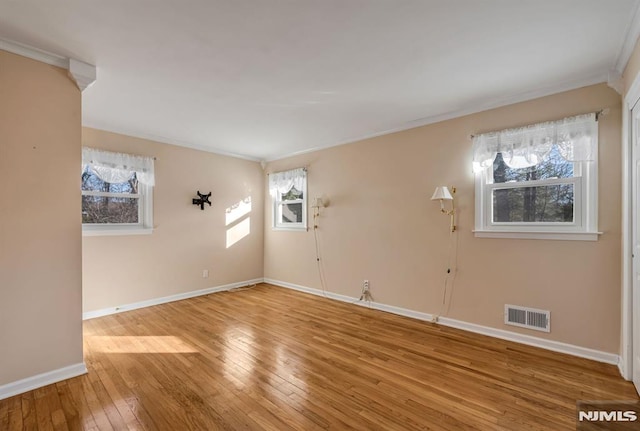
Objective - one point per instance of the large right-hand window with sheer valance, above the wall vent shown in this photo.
(538, 181)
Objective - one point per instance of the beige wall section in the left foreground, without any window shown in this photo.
(40, 238)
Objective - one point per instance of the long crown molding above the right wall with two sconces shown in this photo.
(472, 108)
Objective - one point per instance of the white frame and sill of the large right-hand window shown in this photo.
(585, 206)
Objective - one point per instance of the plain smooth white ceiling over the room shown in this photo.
(263, 79)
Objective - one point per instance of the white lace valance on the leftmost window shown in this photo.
(118, 167)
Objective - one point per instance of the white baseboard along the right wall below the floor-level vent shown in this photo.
(529, 340)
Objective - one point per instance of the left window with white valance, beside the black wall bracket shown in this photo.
(116, 193)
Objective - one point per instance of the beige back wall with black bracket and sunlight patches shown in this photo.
(119, 270)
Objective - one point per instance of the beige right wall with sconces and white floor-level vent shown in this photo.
(381, 226)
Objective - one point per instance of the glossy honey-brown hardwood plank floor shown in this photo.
(275, 359)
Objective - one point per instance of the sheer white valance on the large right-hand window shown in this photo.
(522, 147)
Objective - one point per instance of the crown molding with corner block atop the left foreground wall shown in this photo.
(83, 74)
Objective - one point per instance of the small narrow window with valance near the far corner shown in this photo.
(289, 194)
